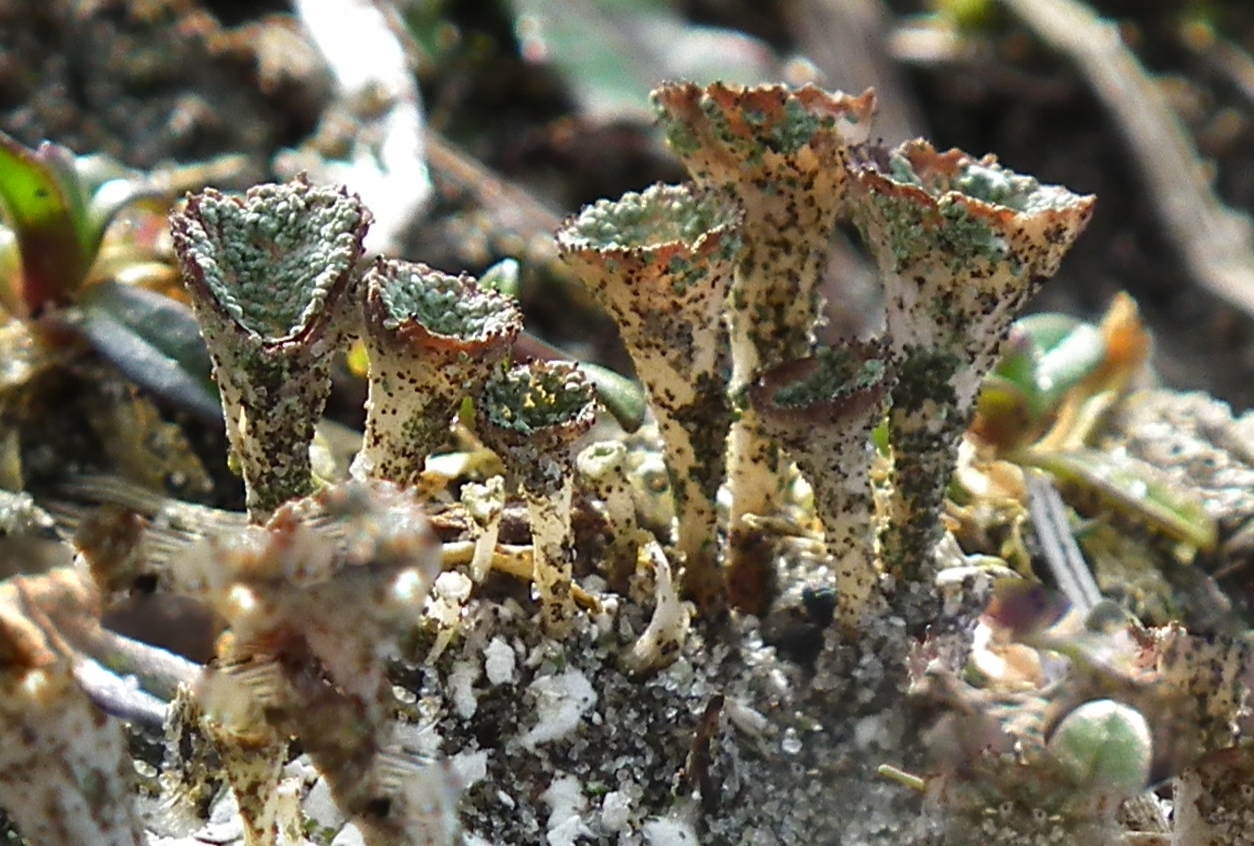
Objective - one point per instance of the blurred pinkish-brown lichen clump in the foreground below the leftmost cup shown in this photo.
(315, 602)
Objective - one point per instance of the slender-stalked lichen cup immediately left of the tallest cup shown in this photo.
(661, 264)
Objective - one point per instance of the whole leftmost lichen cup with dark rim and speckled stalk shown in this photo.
(273, 280)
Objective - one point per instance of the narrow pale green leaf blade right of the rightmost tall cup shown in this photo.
(1133, 487)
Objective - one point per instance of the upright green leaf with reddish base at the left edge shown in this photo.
(46, 209)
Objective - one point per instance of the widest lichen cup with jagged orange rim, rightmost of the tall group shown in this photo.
(962, 245)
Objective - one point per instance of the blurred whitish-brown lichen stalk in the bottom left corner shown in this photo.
(66, 770)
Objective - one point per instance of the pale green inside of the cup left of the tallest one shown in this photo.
(661, 215)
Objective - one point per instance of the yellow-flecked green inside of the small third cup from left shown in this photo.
(534, 398)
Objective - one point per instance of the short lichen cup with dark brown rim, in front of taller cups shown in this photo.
(823, 409)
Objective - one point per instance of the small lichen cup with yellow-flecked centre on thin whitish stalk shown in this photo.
(532, 417)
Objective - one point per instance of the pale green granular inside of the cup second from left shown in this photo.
(446, 305)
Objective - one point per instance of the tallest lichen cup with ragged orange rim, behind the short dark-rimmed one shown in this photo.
(781, 152)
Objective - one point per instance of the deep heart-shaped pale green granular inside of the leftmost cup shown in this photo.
(273, 259)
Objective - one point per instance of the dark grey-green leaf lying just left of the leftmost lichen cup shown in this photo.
(155, 343)
